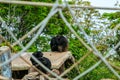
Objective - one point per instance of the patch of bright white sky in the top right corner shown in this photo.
(103, 3)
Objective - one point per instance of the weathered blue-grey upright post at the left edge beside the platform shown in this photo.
(6, 69)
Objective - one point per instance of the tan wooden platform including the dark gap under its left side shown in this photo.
(20, 68)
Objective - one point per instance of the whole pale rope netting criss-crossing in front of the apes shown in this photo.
(40, 27)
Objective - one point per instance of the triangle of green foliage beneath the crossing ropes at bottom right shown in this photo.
(101, 72)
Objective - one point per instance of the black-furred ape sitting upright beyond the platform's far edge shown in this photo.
(59, 43)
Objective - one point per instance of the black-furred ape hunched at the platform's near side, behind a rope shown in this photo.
(45, 61)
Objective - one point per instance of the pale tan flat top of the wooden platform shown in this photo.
(57, 59)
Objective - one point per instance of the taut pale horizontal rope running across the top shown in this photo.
(51, 4)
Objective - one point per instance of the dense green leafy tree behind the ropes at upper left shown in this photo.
(21, 19)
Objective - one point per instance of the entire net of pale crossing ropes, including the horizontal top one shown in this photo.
(58, 8)
